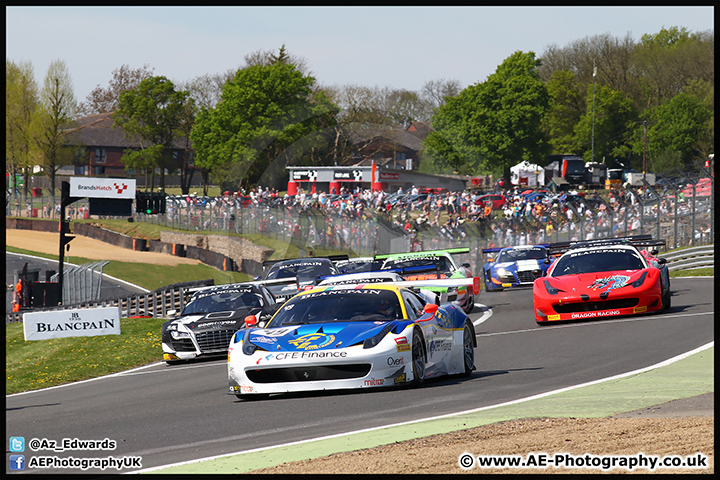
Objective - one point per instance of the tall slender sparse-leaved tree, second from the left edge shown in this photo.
(54, 121)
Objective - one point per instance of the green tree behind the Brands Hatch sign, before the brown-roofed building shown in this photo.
(154, 112)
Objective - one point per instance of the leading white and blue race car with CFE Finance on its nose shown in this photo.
(350, 336)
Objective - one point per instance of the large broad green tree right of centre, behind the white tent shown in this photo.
(495, 124)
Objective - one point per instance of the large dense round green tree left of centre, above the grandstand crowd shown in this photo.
(264, 111)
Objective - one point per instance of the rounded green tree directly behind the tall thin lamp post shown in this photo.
(614, 121)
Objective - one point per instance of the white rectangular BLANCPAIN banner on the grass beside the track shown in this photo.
(86, 322)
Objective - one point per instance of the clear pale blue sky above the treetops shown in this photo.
(396, 47)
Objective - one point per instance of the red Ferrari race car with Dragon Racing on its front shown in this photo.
(602, 278)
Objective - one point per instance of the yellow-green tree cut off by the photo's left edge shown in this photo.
(21, 101)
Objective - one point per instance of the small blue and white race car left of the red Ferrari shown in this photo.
(514, 266)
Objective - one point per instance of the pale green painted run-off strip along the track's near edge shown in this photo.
(683, 386)
